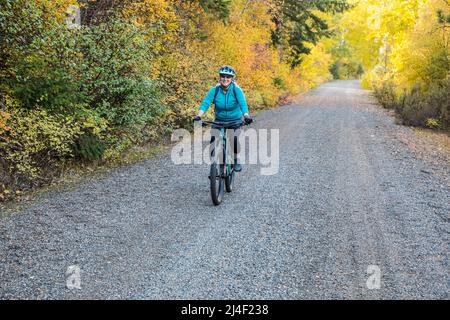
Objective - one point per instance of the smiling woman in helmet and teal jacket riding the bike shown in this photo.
(229, 105)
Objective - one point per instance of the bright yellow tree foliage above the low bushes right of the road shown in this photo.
(398, 40)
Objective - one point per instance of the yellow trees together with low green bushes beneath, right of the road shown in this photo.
(401, 49)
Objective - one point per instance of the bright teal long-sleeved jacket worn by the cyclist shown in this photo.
(227, 107)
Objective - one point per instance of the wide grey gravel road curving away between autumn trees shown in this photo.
(349, 194)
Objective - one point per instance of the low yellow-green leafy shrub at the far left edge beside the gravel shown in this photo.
(36, 143)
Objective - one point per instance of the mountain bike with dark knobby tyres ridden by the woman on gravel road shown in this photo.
(221, 172)
